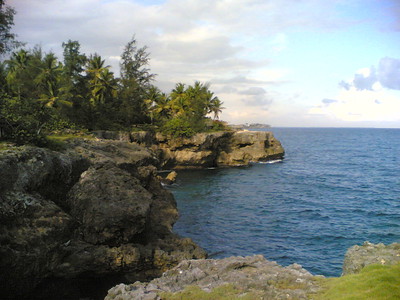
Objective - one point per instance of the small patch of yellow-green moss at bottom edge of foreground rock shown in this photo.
(224, 292)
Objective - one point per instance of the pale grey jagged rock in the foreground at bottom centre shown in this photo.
(255, 274)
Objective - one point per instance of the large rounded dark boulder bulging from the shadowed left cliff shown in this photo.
(111, 205)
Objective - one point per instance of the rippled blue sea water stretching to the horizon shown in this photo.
(334, 189)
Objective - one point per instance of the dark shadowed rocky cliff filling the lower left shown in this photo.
(93, 215)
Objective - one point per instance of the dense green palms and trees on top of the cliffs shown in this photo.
(40, 93)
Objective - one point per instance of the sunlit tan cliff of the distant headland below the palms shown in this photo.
(206, 150)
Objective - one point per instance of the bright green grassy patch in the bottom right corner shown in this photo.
(374, 282)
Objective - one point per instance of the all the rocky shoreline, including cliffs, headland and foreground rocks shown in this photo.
(95, 216)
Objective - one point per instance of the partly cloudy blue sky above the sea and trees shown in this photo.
(290, 63)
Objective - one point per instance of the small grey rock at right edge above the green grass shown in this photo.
(357, 257)
